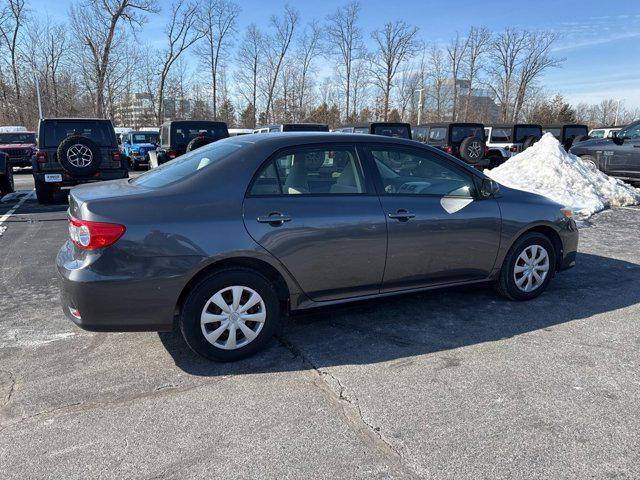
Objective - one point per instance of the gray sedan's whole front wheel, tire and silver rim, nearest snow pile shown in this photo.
(528, 267)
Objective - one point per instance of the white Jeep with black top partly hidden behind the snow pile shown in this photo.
(504, 141)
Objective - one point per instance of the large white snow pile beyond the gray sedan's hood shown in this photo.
(547, 169)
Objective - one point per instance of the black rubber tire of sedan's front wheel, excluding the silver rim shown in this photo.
(506, 284)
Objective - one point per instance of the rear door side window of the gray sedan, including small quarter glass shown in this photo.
(311, 171)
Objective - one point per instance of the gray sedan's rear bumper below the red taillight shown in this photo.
(141, 297)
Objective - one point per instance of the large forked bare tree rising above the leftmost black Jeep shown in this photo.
(97, 23)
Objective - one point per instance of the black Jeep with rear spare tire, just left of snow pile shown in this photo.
(465, 141)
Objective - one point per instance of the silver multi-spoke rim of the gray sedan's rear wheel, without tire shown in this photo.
(233, 317)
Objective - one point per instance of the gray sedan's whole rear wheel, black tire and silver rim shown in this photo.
(230, 315)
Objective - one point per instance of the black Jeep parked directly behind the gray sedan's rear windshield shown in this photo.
(180, 136)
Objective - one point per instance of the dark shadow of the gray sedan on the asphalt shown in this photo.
(404, 326)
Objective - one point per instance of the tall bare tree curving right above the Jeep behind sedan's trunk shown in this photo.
(181, 35)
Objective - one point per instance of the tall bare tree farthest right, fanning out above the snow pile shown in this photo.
(536, 58)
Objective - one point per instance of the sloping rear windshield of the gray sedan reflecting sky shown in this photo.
(186, 165)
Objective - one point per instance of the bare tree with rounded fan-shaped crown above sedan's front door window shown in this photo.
(395, 43)
